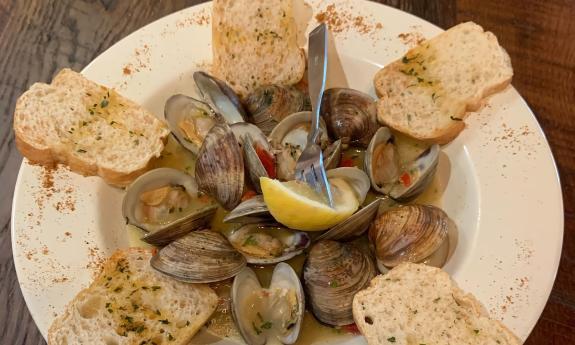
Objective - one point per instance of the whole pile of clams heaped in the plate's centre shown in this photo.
(212, 224)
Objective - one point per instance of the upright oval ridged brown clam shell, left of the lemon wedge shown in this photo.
(220, 167)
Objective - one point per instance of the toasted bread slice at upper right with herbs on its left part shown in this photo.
(427, 93)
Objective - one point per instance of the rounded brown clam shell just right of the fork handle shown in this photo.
(350, 115)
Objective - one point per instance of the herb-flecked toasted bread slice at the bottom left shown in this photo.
(130, 303)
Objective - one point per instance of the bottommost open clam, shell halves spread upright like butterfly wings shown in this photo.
(268, 315)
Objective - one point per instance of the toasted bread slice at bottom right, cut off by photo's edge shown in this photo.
(419, 304)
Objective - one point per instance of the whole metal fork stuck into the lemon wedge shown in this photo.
(309, 167)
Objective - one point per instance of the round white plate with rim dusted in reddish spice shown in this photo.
(503, 189)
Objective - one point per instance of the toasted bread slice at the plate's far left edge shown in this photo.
(90, 128)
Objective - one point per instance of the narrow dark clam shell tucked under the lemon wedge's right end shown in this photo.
(354, 226)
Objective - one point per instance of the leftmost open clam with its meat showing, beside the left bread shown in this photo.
(166, 203)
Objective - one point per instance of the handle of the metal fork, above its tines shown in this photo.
(317, 73)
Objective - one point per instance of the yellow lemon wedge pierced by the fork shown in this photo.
(297, 206)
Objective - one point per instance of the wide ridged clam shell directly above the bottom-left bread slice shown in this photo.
(202, 256)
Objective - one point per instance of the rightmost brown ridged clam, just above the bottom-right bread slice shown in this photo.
(409, 233)
